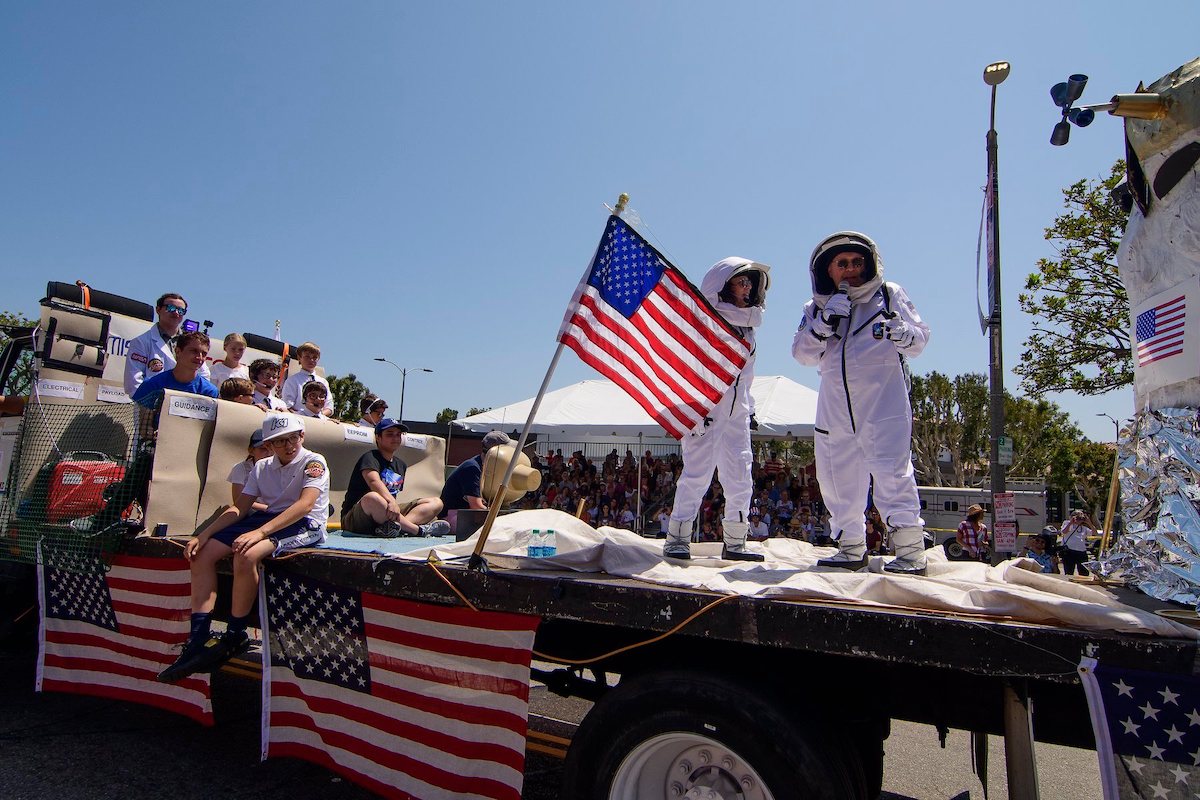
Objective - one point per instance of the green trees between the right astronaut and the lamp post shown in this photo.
(950, 423)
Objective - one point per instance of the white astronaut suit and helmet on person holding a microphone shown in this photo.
(860, 340)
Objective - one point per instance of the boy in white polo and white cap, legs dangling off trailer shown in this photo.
(295, 485)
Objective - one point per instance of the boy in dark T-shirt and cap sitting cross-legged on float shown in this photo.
(371, 508)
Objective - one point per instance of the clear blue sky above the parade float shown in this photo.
(425, 182)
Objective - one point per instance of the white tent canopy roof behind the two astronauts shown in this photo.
(783, 407)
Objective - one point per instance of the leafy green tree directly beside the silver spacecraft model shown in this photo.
(1081, 338)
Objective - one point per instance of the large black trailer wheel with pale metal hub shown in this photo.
(704, 738)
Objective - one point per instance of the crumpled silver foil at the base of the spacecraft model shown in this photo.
(1160, 474)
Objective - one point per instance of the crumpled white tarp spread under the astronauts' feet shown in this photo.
(1011, 591)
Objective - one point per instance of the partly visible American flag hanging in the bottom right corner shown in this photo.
(1148, 732)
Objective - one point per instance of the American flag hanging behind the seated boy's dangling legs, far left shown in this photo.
(112, 634)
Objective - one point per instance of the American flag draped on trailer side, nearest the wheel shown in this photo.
(409, 700)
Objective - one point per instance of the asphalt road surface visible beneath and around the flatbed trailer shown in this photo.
(70, 748)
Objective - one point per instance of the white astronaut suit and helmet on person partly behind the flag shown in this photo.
(724, 441)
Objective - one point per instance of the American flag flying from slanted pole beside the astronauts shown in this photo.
(638, 321)
